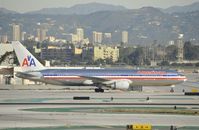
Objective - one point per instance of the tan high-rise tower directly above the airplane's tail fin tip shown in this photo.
(16, 32)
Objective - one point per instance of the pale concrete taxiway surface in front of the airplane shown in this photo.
(30, 108)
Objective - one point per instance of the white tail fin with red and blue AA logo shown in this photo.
(27, 61)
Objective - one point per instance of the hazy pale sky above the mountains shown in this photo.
(30, 5)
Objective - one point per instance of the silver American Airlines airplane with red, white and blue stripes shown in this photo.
(122, 79)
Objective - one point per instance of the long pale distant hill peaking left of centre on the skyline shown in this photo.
(79, 9)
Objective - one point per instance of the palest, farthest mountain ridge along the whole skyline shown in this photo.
(83, 9)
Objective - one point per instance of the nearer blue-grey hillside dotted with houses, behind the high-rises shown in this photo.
(144, 25)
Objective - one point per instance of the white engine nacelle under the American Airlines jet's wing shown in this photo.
(122, 85)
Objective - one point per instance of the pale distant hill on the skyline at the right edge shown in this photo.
(183, 9)
